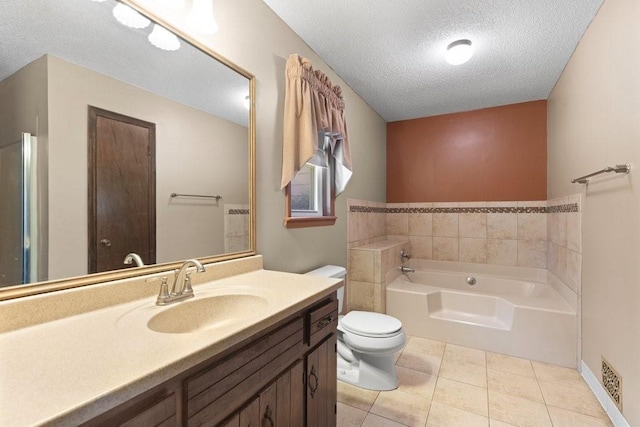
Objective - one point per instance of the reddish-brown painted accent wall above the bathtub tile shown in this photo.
(493, 154)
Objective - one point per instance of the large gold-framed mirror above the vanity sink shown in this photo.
(60, 62)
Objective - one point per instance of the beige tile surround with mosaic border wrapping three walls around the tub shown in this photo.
(540, 234)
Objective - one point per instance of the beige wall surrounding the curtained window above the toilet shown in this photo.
(253, 37)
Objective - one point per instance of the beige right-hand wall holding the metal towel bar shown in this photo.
(594, 121)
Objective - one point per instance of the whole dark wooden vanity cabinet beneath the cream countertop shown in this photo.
(284, 377)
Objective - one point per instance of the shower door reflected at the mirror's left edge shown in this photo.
(19, 211)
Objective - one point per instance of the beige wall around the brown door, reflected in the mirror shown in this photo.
(185, 141)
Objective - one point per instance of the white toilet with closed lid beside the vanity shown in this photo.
(367, 342)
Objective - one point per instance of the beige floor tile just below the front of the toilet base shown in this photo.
(400, 407)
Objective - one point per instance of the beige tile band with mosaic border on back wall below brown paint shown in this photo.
(503, 233)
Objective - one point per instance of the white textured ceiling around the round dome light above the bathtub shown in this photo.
(392, 52)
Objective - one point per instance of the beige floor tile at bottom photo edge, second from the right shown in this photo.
(517, 411)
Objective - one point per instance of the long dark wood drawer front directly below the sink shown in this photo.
(216, 391)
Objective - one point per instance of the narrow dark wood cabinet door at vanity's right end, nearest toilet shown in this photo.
(322, 384)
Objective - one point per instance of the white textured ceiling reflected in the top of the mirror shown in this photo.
(86, 33)
